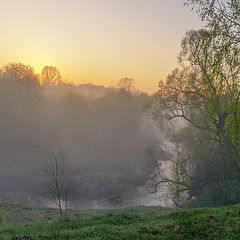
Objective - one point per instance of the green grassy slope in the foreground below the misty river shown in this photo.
(138, 223)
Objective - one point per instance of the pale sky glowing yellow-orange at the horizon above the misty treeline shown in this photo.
(96, 41)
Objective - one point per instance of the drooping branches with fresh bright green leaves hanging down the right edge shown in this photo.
(223, 25)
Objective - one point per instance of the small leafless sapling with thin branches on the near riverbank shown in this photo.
(55, 167)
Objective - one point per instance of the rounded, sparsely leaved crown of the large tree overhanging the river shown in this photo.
(201, 90)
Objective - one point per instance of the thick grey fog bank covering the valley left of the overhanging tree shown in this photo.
(109, 147)
